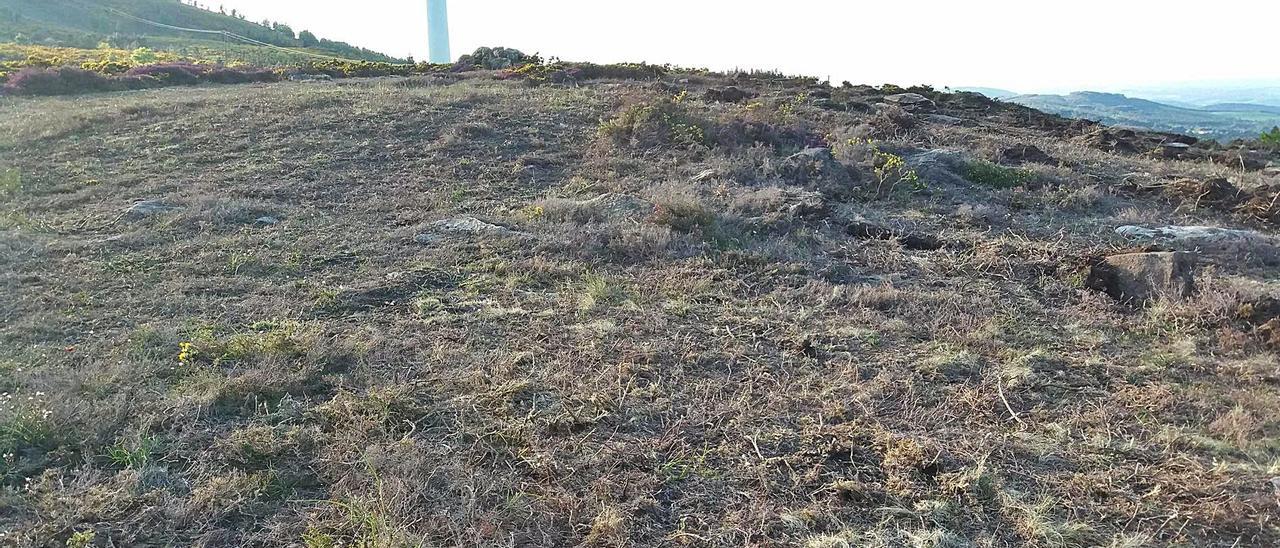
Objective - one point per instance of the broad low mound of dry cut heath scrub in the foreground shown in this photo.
(701, 312)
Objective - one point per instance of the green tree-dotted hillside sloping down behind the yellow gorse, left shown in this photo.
(79, 24)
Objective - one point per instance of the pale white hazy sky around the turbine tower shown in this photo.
(1023, 45)
